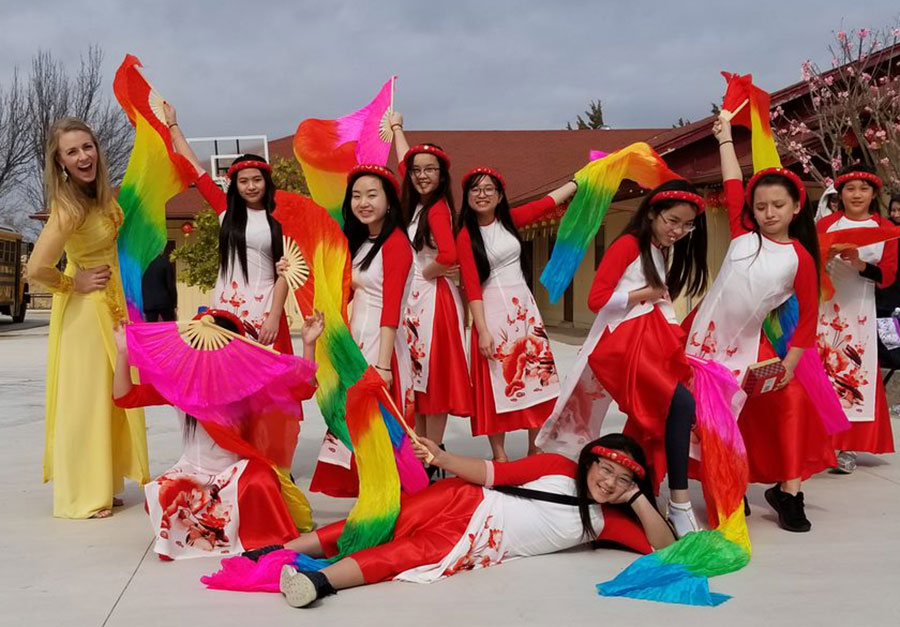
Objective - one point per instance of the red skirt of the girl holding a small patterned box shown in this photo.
(783, 433)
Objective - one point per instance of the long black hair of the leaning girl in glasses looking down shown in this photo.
(688, 269)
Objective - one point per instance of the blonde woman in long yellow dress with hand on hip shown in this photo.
(91, 445)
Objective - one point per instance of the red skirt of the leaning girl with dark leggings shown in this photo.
(640, 364)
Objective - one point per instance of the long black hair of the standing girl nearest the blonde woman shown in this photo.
(232, 234)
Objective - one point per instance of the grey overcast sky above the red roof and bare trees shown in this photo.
(261, 67)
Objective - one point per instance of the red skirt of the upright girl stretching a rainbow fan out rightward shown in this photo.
(485, 419)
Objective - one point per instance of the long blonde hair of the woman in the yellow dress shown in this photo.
(64, 196)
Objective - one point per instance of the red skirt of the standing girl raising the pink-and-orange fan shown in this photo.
(449, 388)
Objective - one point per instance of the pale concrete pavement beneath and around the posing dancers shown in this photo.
(102, 572)
